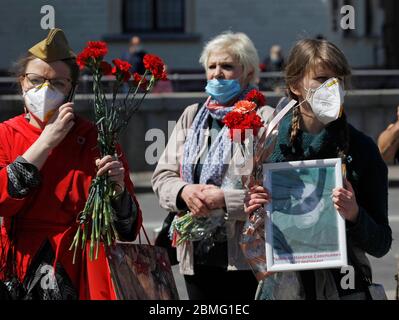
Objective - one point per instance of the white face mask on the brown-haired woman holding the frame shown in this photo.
(327, 100)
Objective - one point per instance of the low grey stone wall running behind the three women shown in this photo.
(368, 110)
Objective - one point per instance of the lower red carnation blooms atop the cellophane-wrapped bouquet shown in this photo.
(241, 122)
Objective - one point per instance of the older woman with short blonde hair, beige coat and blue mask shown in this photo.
(191, 173)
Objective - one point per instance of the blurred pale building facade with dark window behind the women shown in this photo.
(177, 29)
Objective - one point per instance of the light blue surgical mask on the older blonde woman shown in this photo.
(223, 90)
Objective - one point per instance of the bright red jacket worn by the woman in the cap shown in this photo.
(51, 211)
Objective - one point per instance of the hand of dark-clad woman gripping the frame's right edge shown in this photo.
(344, 200)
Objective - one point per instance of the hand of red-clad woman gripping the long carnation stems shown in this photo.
(114, 169)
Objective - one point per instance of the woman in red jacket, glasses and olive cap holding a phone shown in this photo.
(48, 156)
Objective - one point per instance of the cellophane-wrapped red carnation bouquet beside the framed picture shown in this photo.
(256, 143)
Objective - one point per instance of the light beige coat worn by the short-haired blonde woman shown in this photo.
(166, 183)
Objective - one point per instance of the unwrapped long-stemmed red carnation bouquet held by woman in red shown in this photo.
(110, 118)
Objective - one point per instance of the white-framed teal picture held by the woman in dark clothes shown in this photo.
(303, 229)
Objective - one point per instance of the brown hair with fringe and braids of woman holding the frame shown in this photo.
(304, 57)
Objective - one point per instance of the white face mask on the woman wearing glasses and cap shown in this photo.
(42, 101)
